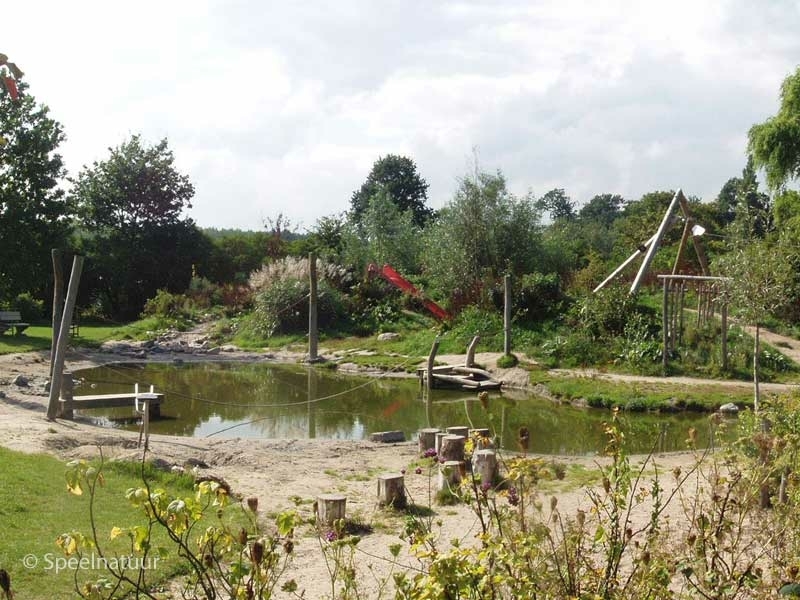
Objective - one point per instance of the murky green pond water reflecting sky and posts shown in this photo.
(294, 401)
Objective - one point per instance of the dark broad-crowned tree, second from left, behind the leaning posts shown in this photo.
(132, 229)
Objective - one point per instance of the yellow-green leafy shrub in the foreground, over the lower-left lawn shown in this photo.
(224, 553)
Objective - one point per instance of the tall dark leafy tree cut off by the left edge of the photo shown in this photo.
(33, 211)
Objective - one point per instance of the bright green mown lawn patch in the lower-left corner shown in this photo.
(35, 508)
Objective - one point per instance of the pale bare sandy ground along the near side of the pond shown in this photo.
(274, 470)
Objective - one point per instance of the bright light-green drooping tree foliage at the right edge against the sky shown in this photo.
(775, 143)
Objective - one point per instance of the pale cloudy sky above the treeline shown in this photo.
(281, 108)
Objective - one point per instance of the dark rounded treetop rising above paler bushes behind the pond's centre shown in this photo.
(398, 177)
